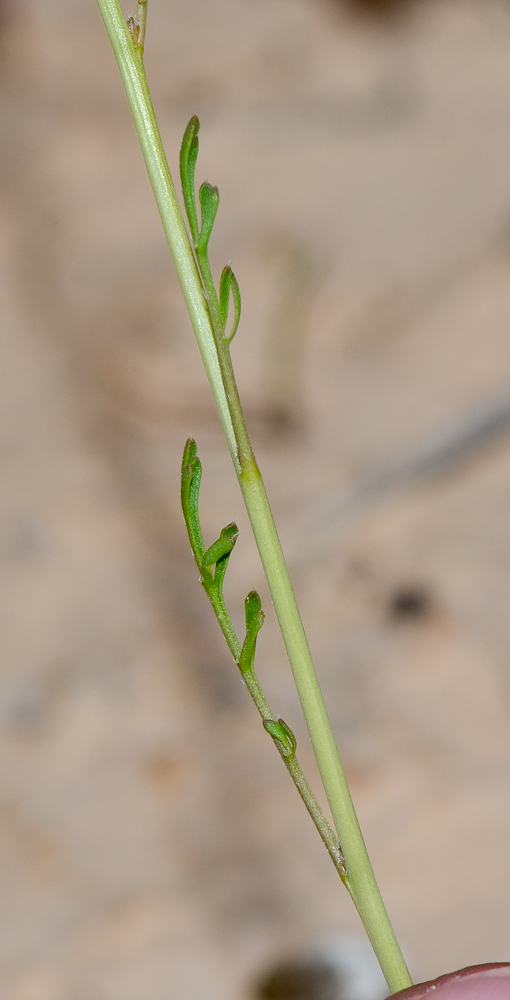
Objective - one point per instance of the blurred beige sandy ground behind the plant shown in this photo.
(151, 845)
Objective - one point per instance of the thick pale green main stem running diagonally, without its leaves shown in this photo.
(216, 358)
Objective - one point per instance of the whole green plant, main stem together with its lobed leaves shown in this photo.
(209, 312)
